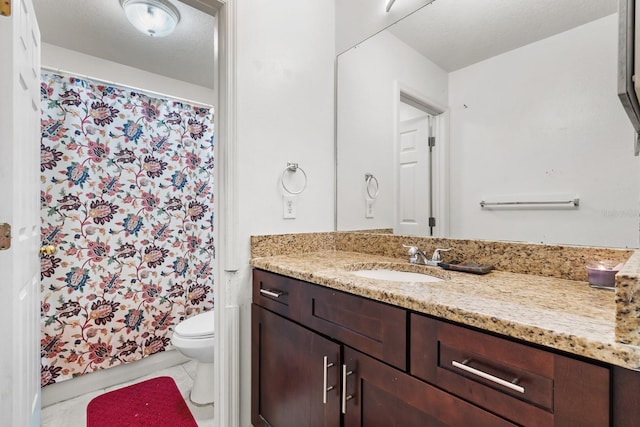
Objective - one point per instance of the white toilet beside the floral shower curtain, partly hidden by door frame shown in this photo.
(193, 337)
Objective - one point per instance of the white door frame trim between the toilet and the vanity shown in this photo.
(226, 285)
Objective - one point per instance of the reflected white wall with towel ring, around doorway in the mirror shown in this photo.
(368, 82)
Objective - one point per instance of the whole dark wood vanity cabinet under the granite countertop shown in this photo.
(322, 357)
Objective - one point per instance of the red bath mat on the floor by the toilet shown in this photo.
(156, 402)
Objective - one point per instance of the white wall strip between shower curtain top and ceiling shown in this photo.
(76, 62)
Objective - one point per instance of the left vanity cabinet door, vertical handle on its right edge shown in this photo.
(289, 367)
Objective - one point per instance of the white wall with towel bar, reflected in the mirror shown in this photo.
(540, 120)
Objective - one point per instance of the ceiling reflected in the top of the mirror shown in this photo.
(458, 33)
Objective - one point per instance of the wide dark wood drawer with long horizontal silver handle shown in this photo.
(522, 383)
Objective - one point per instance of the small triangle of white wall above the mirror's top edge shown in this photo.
(358, 19)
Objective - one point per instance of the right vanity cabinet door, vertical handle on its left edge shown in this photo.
(376, 394)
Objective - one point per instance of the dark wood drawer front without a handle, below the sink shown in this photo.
(377, 329)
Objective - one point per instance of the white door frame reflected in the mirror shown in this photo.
(441, 152)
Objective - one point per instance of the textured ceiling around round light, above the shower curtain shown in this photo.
(100, 28)
